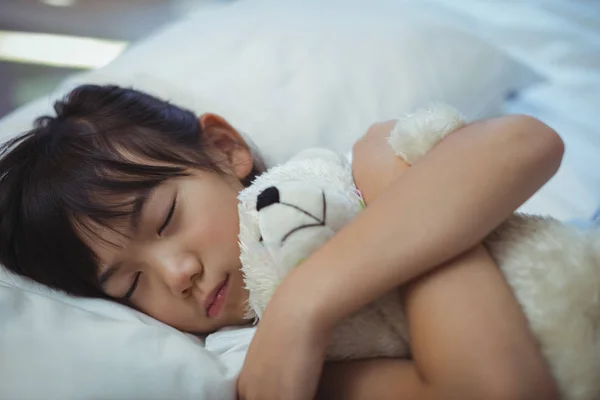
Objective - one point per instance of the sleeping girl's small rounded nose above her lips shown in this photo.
(180, 273)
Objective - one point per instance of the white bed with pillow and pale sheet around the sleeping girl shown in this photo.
(320, 71)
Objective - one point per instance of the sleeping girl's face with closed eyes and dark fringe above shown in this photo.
(180, 261)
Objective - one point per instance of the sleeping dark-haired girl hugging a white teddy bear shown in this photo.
(126, 197)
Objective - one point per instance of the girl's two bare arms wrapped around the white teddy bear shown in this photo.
(469, 337)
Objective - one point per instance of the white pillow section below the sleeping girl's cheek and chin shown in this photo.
(55, 346)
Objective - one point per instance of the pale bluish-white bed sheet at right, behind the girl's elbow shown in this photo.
(559, 39)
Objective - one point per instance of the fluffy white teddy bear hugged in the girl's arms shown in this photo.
(553, 268)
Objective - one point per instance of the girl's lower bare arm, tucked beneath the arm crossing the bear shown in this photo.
(470, 341)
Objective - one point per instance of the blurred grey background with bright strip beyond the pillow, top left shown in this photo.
(43, 41)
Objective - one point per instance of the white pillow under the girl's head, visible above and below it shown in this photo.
(290, 75)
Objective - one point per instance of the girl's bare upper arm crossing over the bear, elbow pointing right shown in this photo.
(441, 207)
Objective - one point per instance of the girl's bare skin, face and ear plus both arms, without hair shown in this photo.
(470, 339)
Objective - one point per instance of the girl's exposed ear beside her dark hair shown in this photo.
(231, 150)
